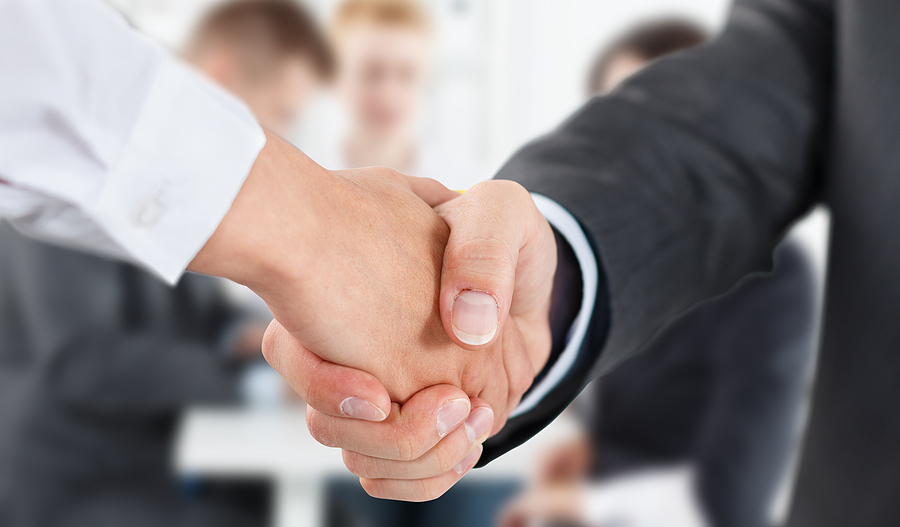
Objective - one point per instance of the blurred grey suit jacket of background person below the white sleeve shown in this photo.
(100, 358)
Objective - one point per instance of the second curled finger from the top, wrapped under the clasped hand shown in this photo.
(408, 432)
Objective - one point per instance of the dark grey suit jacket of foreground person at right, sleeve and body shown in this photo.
(686, 177)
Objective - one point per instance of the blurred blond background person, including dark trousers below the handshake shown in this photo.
(384, 54)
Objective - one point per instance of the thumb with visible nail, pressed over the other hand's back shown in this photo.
(487, 229)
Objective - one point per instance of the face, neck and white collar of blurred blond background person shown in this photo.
(385, 60)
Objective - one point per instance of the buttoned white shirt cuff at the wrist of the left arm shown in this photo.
(187, 159)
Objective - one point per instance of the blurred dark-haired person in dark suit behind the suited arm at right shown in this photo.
(698, 428)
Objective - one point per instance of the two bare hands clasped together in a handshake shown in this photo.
(411, 319)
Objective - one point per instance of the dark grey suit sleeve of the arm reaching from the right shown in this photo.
(686, 177)
